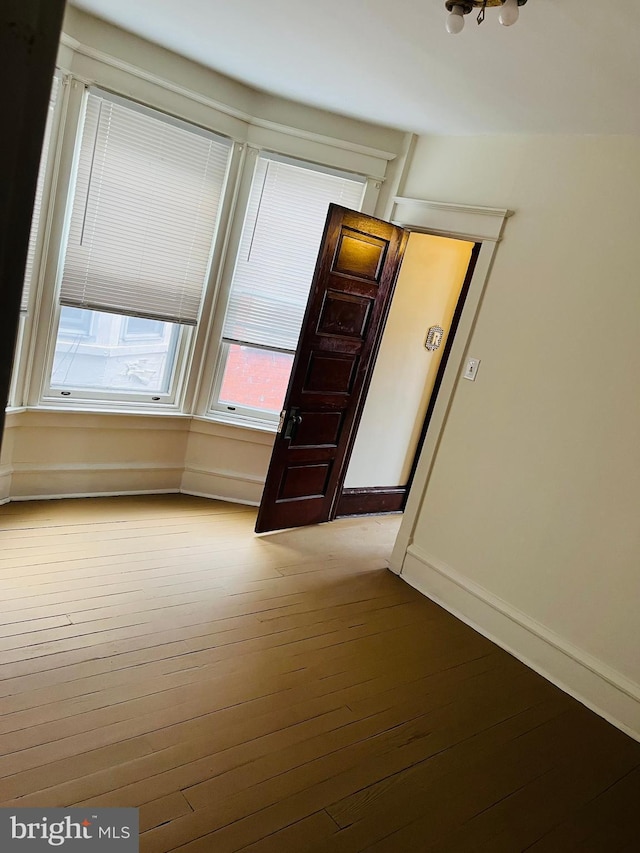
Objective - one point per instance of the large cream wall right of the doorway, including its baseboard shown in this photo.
(533, 501)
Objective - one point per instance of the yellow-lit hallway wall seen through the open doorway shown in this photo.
(426, 294)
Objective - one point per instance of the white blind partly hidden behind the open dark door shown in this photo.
(278, 249)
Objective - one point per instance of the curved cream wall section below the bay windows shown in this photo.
(55, 454)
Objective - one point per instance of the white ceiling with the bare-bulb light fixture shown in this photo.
(567, 66)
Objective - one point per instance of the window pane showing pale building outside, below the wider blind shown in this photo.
(94, 351)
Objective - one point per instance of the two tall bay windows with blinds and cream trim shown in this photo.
(178, 262)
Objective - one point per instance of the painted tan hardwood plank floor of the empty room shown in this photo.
(282, 693)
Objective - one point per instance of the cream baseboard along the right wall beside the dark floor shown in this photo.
(589, 680)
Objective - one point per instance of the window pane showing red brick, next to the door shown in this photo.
(255, 378)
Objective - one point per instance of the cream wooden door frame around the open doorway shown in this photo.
(482, 225)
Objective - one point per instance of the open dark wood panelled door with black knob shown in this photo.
(348, 304)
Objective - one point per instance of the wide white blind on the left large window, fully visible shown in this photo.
(144, 214)
